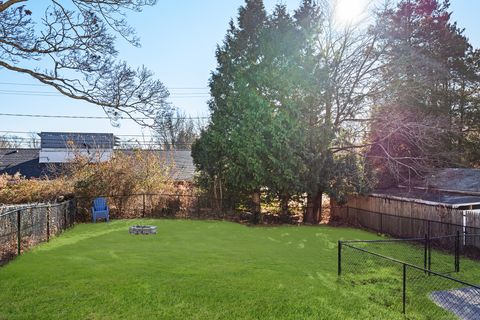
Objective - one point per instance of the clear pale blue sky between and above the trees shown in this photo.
(178, 44)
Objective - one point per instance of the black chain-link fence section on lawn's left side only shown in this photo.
(27, 226)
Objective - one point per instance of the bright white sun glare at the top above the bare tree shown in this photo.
(350, 12)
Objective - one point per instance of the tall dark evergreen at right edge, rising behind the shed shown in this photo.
(426, 115)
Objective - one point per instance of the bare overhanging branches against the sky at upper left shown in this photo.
(71, 47)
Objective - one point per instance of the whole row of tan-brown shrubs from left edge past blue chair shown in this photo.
(124, 174)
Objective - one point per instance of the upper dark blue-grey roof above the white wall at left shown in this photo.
(62, 140)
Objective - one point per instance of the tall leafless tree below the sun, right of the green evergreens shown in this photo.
(347, 64)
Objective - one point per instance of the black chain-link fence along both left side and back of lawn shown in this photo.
(24, 226)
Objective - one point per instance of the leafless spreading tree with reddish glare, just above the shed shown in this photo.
(406, 145)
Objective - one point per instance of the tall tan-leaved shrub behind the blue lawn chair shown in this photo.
(119, 179)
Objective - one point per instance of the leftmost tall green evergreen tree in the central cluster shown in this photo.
(236, 109)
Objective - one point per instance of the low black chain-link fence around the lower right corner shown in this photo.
(407, 285)
